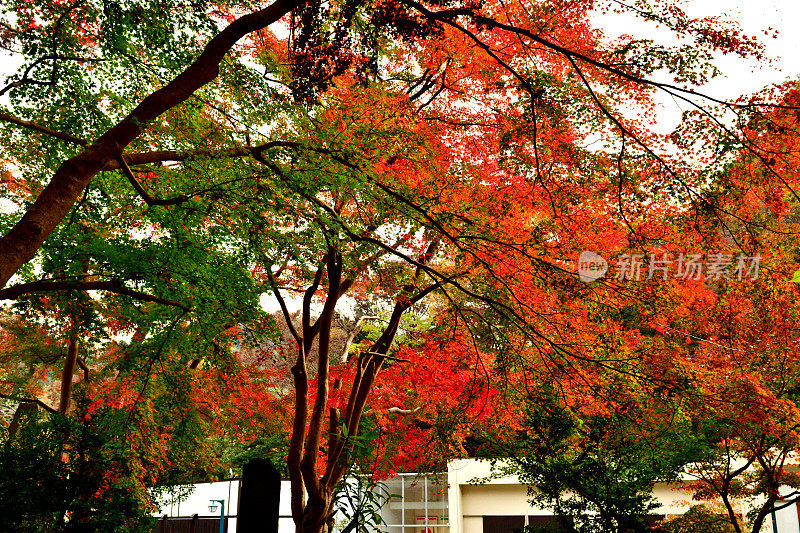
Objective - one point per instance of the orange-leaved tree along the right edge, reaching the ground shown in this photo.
(744, 355)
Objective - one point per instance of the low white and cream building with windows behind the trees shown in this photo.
(465, 499)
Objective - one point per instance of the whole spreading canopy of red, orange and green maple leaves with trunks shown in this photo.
(410, 184)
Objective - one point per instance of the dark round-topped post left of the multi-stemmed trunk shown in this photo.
(259, 498)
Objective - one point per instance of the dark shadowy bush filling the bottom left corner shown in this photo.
(56, 480)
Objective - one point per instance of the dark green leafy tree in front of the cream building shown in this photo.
(597, 471)
